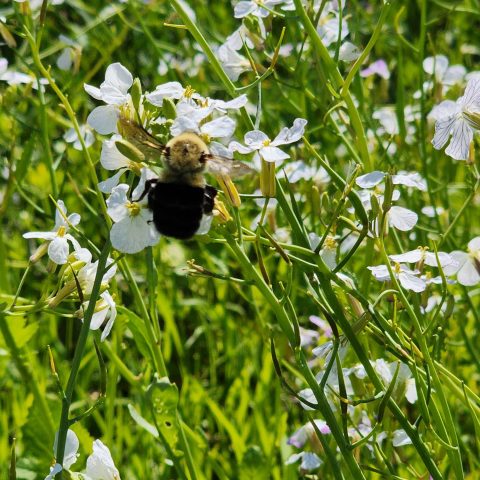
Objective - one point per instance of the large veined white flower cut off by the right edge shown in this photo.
(458, 120)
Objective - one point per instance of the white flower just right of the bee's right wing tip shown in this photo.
(256, 141)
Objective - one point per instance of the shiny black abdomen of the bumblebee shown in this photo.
(177, 208)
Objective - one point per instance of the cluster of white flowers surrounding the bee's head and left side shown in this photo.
(169, 110)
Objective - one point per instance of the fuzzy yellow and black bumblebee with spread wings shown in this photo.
(180, 199)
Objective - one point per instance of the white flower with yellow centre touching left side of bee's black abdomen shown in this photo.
(133, 229)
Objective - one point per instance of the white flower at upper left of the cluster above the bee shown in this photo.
(114, 92)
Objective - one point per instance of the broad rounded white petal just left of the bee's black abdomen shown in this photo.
(133, 234)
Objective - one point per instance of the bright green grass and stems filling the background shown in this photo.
(200, 376)
